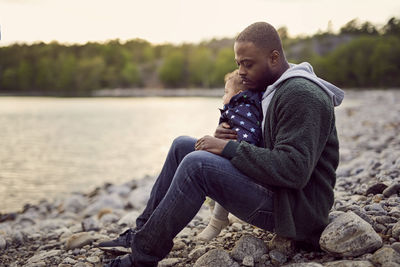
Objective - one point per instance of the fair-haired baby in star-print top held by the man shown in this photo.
(242, 111)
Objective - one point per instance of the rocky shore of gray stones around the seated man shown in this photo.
(364, 228)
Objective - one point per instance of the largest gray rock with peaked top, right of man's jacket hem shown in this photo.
(349, 235)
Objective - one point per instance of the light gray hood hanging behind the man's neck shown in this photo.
(305, 70)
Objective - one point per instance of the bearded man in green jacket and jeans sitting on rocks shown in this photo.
(286, 187)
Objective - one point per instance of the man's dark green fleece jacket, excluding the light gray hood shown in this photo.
(299, 160)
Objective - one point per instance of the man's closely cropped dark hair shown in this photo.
(263, 35)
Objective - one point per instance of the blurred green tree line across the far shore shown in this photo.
(361, 55)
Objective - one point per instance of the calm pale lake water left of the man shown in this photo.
(52, 146)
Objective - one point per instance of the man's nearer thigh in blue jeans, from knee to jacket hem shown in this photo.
(235, 191)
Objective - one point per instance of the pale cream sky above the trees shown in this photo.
(176, 21)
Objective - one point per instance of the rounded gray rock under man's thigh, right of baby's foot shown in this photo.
(249, 245)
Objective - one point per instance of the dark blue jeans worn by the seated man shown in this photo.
(187, 177)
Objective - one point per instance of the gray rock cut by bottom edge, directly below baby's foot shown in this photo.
(216, 257)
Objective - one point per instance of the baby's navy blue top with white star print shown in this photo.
(244, 114)
